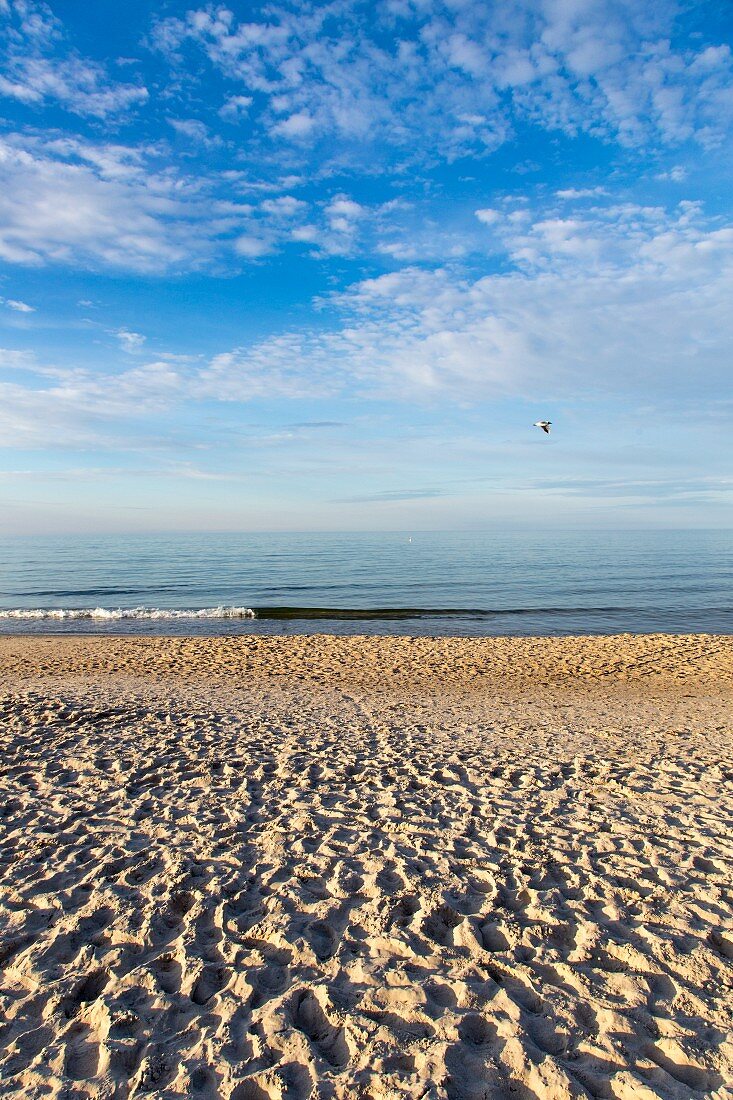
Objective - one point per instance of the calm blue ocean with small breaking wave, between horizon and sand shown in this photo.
(431, 584)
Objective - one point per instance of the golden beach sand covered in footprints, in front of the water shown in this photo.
(296, 867)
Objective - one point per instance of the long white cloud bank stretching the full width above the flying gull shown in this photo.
(648, 322)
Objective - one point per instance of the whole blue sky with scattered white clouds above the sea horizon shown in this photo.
(304, 267)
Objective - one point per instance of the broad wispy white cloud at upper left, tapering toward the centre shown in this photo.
(67, 201)
